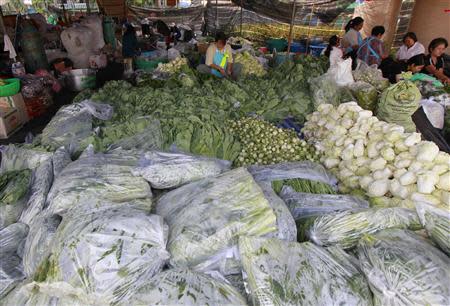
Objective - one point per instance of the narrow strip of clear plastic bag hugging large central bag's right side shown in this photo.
(286, 228)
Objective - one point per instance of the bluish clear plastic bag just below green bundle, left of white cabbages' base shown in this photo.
(303, 205)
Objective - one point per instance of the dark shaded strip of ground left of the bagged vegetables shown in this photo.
(36, 125)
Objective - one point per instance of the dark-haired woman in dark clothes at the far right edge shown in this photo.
(434, 61)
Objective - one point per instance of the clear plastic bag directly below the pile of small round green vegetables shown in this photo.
(304, 170)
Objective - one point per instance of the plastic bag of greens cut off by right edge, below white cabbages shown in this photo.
(436, 221)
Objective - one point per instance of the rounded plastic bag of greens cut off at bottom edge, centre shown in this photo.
(185, 287)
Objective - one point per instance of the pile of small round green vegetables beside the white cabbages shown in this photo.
(263, 143)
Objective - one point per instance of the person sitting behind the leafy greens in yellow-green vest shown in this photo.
(219, 59)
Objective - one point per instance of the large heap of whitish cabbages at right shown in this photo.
(388, 164)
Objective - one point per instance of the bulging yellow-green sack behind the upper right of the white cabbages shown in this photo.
(398, 103)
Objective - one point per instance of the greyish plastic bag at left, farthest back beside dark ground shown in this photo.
(72, 124)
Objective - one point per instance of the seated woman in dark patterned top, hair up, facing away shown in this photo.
(372, 50)
